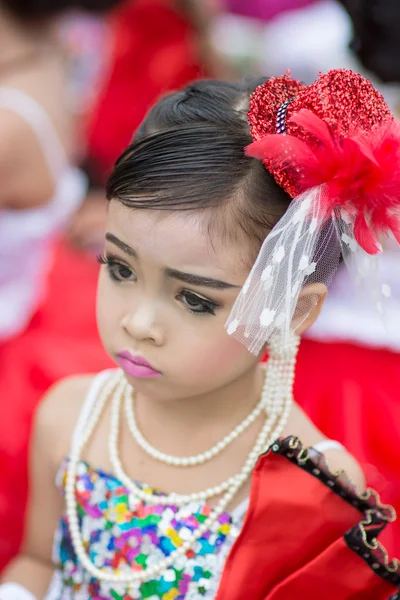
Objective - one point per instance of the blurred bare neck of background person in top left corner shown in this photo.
(21, 42)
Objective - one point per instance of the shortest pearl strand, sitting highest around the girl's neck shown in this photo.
(190, 461)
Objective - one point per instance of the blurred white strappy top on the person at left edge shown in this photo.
(26, 235)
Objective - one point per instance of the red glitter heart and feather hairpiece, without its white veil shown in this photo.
(339, 132)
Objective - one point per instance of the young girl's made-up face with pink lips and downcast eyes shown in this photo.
(164, 296)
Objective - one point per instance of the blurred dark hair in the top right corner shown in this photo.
(376, 25)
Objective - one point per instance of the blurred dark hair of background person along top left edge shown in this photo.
(35, 10)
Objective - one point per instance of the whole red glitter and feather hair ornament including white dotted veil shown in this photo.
(334, 147)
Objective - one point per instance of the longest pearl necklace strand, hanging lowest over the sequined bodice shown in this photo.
(280, 377)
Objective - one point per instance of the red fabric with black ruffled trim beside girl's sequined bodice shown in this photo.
(292, 546)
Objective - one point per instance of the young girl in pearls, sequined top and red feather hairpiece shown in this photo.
(188, 472)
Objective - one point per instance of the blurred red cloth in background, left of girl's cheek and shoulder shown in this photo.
(61, 340)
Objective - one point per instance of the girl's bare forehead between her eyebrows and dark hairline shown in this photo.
(173, 238)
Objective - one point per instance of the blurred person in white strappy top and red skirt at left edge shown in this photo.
(41, 188)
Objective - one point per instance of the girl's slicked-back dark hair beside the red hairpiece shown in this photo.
(188, 154)
